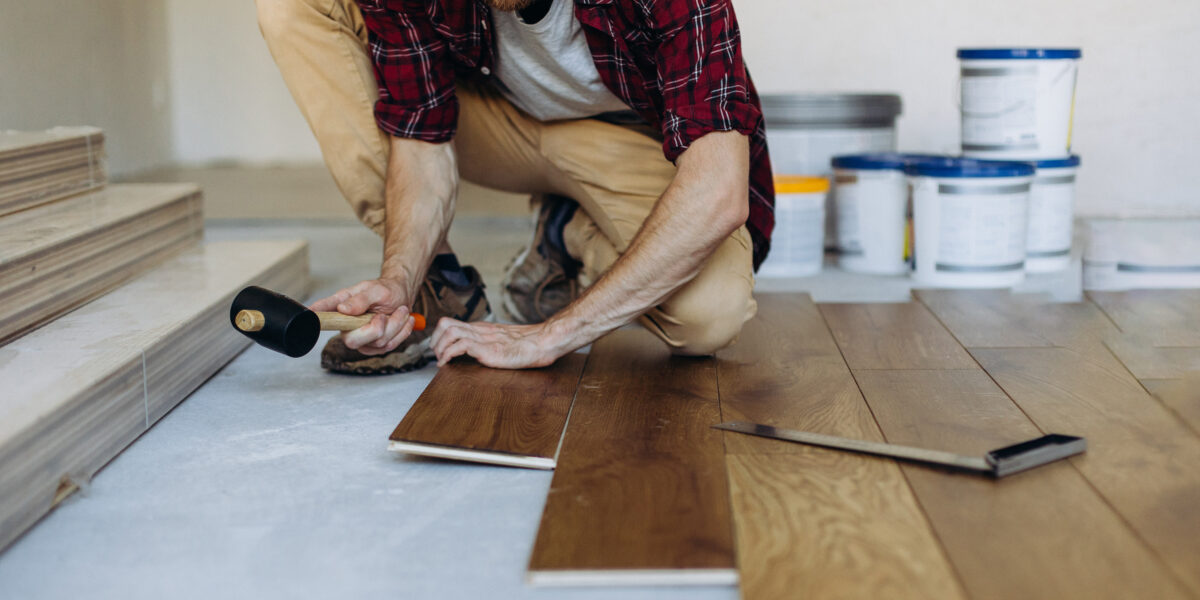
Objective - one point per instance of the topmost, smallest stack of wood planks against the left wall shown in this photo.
(43, 167)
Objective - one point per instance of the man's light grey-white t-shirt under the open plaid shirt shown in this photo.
(547, 68)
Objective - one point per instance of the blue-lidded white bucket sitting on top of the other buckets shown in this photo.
(1018, 103)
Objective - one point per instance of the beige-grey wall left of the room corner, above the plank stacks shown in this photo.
(99, 63)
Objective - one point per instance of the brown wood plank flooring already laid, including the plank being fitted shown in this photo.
(646, 493)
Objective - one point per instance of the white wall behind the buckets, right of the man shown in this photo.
(1138, 103)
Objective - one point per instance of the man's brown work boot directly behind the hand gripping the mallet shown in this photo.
(437, 298)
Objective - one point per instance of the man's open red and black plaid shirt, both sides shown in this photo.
(677, 63)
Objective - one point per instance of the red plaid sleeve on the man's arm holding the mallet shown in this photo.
(413, 69)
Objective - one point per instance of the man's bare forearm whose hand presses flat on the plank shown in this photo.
(701, 208)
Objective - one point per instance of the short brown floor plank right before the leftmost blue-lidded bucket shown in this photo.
(893, 337)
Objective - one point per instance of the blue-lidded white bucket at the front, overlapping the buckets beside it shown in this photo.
(970, 221)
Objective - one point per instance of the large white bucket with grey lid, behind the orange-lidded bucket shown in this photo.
(806, 131)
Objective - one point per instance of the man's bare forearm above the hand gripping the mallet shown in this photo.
(422, 189)
